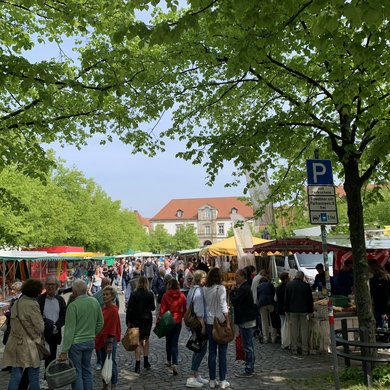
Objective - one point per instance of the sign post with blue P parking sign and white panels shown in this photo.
(323, 211)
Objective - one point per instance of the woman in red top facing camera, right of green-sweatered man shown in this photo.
(107, 339)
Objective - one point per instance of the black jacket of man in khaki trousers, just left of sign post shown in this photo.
(298, 297)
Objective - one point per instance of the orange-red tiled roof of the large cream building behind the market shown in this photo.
(190, 208)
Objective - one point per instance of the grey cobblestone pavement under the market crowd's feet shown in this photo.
(274, 368)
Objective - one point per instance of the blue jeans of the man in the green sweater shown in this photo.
(81, 354)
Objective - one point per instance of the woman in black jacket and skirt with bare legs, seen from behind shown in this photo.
(139, 315)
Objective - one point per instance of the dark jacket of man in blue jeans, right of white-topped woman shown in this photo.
(242, 301)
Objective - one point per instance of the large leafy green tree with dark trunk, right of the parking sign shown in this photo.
(273, 81)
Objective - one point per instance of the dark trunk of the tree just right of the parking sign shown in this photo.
(353, 188)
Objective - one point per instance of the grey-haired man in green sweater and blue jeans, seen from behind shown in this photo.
(83, 322)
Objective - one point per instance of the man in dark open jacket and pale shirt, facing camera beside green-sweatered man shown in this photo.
(53, 309)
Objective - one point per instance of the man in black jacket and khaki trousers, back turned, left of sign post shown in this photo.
(298, 305)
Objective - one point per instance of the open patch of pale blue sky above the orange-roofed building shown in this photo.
(142, 183)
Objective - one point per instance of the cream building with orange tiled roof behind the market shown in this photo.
(209, 216)
